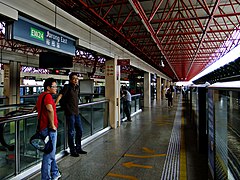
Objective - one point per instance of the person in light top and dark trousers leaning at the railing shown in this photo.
(127, 98)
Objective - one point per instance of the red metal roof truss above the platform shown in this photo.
(187, 35)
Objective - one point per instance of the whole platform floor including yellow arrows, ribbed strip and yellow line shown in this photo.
(159, 143)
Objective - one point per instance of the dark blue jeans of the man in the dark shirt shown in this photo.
(74, 124)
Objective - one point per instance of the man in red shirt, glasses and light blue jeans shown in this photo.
(46, 108)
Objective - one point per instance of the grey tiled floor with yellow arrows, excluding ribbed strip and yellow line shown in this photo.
(135, 151)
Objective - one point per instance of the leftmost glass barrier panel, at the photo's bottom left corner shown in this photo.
(7, 149)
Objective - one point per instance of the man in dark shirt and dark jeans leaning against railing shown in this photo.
(70, 94)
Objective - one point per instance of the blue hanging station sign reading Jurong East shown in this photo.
(33, 33)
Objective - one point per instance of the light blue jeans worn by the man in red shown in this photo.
(49, 168)
